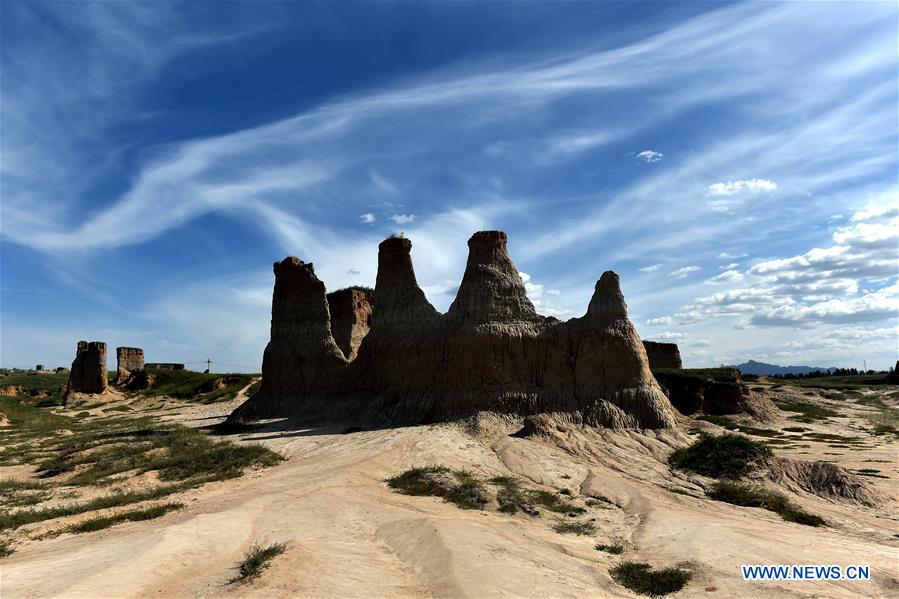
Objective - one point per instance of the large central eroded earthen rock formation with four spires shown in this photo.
(491, 352)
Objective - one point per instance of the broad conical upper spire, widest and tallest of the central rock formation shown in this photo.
(491, 289)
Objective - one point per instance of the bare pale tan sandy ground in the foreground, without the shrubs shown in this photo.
(350, 536)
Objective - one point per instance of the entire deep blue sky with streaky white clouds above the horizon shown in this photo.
(736, 164)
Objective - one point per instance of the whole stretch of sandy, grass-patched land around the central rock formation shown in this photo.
(102, 502)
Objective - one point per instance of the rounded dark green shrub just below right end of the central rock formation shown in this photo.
(724, 456)
